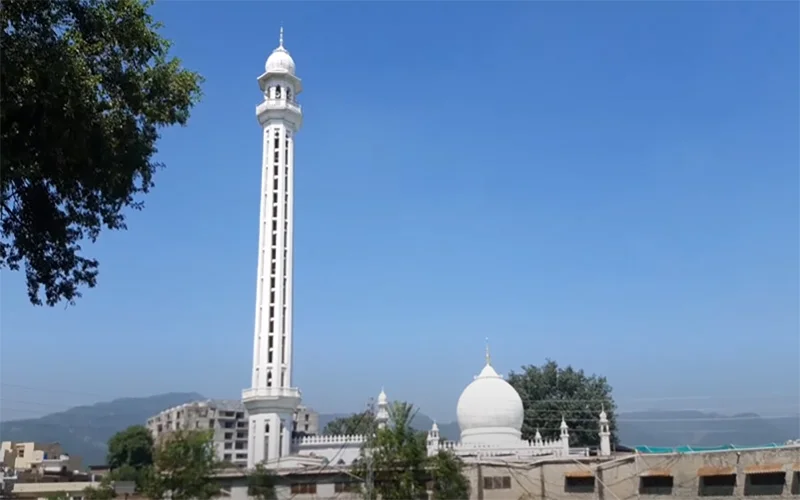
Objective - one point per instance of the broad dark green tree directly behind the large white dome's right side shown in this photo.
(550, 392)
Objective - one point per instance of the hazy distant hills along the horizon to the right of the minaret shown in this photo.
(669, 428)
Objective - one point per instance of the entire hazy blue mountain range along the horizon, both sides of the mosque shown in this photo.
(85, 430)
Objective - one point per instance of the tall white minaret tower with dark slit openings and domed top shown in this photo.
(271, 400)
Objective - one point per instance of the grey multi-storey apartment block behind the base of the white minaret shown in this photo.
(228, 421)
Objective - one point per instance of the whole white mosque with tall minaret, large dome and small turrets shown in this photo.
(490, 411)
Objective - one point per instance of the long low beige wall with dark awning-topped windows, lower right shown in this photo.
(619, 478)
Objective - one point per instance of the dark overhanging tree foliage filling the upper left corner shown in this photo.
(85, 87)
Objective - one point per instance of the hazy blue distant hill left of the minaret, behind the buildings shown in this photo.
(85, 430)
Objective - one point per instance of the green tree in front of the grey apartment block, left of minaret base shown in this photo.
(183, 468)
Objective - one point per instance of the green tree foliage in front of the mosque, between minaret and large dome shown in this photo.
(401, 466)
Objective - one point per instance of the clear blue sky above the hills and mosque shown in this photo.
(611, 185)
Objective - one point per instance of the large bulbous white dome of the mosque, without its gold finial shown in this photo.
(490, 410)
